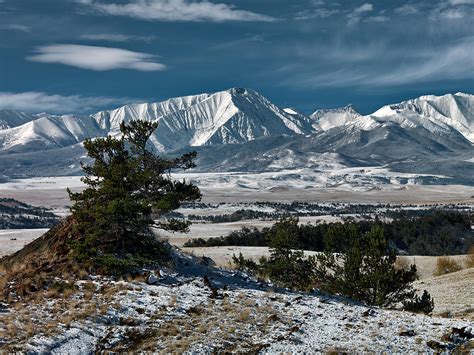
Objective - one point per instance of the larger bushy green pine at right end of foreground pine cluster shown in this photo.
(365, 271)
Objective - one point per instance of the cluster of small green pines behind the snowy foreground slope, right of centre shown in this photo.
(364, 271)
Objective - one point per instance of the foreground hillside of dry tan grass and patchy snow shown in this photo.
(196, 307)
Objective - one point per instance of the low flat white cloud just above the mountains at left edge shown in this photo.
(35, 101)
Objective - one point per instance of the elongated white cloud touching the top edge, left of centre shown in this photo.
(176, 10)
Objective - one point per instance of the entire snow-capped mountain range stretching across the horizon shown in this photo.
(240, 130)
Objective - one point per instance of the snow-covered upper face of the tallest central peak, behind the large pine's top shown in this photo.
(232, 116)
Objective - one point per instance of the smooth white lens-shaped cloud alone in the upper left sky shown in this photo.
(96, 58)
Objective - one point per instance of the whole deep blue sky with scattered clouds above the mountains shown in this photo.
(84, 55)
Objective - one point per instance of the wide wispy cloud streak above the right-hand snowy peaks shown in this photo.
(447, 62)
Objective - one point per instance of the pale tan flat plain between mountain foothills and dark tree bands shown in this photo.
(51, 192)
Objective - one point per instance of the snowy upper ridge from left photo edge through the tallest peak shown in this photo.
(232, 116)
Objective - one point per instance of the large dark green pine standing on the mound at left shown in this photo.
(129, 191)
